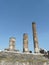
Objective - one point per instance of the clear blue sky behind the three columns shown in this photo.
(16, 17)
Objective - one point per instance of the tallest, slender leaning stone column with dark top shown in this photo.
(35, 39)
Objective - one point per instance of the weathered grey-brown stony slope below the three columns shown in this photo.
(10, 58)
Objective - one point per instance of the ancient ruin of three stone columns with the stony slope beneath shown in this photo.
(11, 56)
